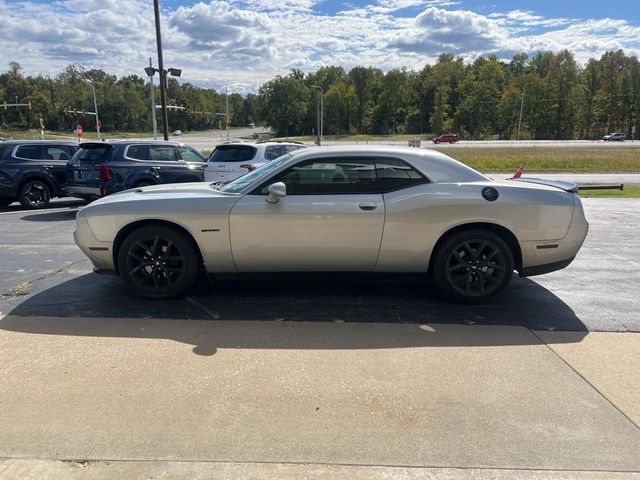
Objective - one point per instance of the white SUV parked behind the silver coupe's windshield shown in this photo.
(233, 159)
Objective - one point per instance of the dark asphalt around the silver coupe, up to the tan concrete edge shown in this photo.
(42, 272)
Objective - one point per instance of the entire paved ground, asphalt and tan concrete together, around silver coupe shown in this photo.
(317, 376)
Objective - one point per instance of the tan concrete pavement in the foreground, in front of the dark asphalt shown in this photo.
(314, 400)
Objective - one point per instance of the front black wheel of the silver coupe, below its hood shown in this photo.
(158, 262)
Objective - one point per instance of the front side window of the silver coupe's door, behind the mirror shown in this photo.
(328, 176)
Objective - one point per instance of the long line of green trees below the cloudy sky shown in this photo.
(545, 96)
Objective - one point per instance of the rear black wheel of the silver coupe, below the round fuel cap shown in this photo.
(473, 266)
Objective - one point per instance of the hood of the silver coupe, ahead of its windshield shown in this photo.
(168, 191)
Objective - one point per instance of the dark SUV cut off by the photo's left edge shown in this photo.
(33, 171)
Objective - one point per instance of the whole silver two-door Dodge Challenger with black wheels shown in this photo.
(339, 209)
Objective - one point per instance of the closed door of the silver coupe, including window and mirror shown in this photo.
(330, 220)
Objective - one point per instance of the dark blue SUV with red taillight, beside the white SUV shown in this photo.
(102, 168)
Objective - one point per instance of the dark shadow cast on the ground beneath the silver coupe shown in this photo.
(233, 311)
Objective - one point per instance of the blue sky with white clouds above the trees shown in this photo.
(242, 43)
